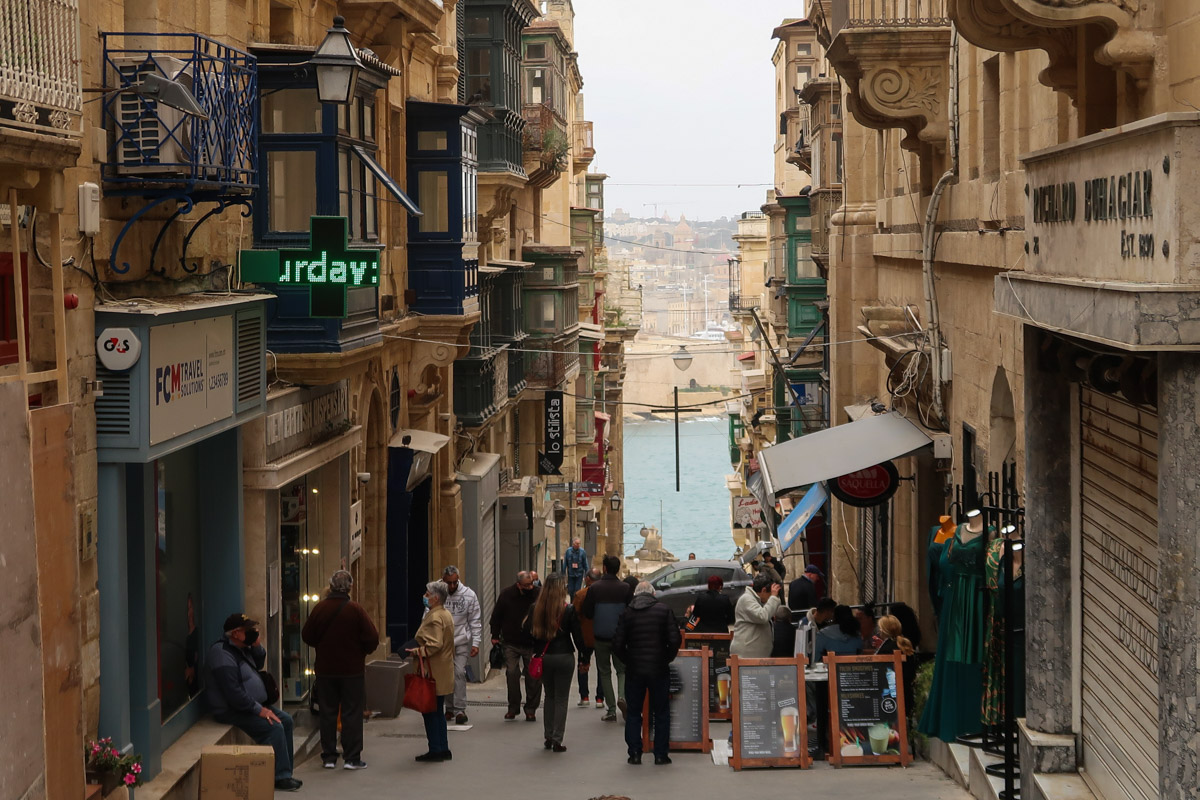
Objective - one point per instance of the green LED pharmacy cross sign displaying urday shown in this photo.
(328, 268)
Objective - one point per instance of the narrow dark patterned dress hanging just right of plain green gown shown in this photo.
(994, 682)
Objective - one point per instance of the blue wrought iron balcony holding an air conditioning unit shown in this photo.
(155, 149)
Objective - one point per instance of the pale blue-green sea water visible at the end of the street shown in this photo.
(695, 520)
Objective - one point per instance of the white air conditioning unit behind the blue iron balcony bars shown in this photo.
(152, 140)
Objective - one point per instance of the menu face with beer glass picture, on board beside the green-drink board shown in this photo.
(770, 712)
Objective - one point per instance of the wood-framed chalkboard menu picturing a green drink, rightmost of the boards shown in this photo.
(867, 714)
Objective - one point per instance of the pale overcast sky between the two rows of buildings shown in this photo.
(682, 92)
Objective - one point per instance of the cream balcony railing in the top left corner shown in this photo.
(40, 67)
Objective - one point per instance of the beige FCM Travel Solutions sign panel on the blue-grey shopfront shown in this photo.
(191, 376)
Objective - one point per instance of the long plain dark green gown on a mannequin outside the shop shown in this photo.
(956, 695)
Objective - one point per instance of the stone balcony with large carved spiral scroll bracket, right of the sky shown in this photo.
(895, 57)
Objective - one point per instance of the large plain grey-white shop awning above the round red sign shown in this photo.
(839, 452)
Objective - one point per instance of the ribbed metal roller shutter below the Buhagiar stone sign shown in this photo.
(1120, 597)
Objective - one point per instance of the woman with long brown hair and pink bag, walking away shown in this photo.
(557, 636)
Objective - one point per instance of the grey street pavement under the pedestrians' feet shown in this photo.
(497, 760)
